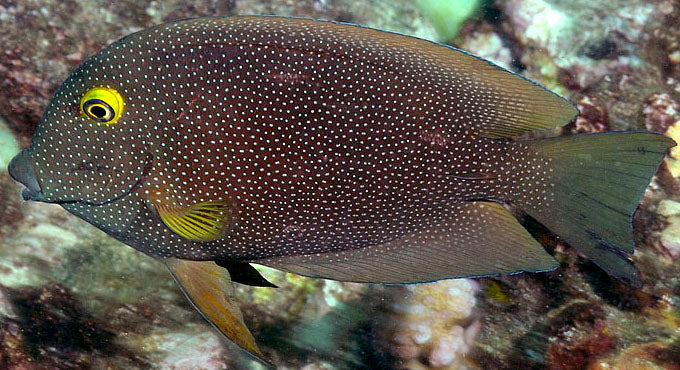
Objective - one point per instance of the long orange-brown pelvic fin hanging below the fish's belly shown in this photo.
(209, 288)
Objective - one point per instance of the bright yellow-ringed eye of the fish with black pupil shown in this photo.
(102, 104)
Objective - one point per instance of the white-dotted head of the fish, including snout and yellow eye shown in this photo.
(92, 144)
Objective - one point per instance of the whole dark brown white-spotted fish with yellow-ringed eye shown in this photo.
(328, 150)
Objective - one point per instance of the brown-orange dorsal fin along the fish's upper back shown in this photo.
(494, 101)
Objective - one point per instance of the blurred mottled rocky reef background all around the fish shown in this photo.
(73, 298)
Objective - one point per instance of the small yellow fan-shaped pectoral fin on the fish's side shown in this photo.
(202, 222)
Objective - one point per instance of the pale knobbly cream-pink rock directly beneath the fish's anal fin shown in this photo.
(429, 325)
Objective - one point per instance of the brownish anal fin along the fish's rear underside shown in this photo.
(477, 239)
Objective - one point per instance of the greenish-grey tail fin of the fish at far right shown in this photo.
(597, 184)
